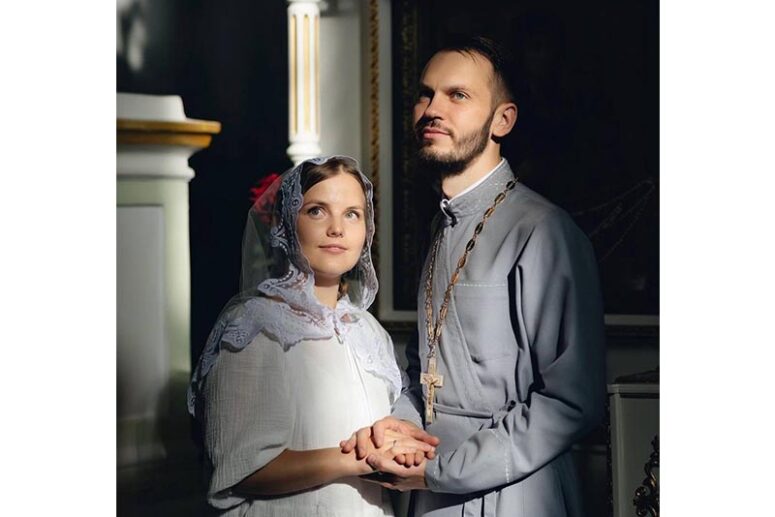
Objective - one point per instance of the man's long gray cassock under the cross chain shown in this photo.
(522, 355)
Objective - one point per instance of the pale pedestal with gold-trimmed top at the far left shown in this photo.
(155, 140)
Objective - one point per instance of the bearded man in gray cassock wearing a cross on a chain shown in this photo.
(514, 373)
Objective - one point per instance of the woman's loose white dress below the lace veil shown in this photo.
(264, 399)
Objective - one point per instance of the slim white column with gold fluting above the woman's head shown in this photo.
(303, 79)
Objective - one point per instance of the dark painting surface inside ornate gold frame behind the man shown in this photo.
(587, 134)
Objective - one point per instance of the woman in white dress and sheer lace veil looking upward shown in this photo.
(295, 362)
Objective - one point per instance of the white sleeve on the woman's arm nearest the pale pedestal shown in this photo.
(248, 416)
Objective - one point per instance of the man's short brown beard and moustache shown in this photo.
(457, 160)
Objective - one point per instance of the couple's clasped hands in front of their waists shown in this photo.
(395, 450)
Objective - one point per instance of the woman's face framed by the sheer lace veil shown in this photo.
(332, 227)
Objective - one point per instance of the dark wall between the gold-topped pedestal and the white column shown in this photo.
(228, 61)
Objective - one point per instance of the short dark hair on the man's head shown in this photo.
(501, 60)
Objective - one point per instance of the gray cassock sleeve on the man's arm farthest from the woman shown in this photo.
(560, 312)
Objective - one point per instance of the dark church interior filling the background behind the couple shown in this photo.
(212, 97)
